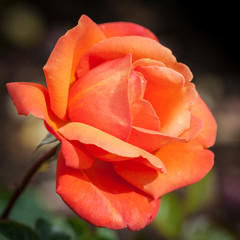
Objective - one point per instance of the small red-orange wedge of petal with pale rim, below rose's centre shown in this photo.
(151, 140)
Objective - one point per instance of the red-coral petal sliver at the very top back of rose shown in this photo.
(120, 29)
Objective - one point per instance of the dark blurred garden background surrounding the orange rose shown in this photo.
(203, 35)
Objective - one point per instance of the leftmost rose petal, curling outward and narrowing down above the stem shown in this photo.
(31, 98)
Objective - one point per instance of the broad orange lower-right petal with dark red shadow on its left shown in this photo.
(186, 163)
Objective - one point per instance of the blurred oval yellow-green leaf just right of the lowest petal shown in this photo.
(170, 216)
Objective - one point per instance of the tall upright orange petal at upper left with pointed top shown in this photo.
(62, 63)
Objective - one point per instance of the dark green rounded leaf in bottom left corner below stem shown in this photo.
(16, 231)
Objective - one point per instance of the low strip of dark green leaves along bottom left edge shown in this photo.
(75, 229)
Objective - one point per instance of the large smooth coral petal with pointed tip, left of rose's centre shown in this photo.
(100, 98)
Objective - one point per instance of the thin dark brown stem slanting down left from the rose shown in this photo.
(25, 180)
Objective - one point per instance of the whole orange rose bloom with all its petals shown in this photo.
(131, 124)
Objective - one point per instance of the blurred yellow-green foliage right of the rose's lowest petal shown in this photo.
(184, 214)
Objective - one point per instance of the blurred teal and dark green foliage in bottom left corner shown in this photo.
(30, 220)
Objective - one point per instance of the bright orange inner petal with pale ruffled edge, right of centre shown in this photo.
(170, 98)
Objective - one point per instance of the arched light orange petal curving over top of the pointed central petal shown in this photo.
(117, 47)
